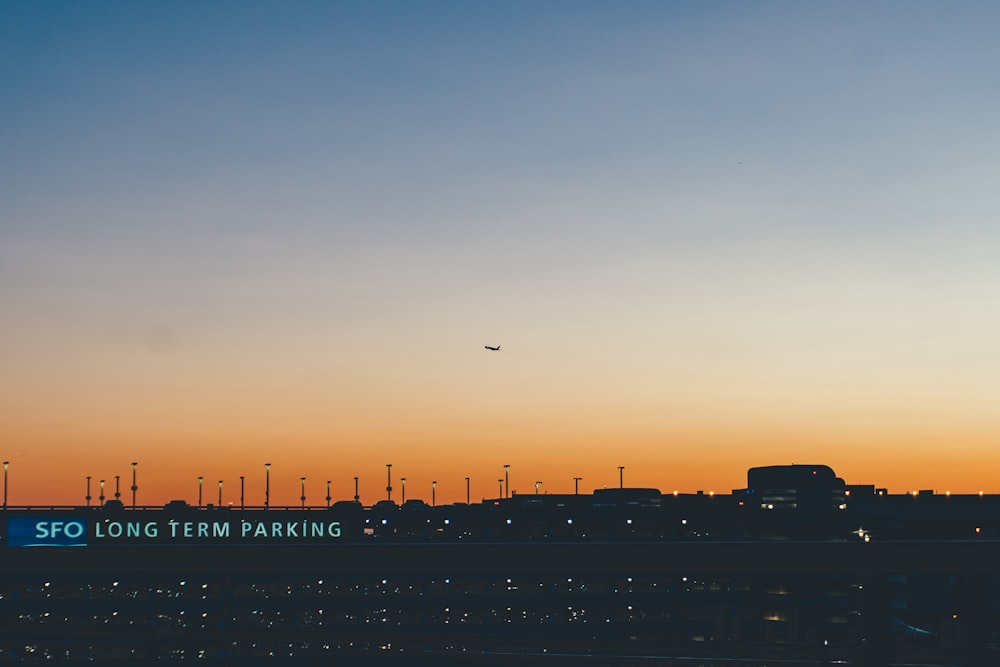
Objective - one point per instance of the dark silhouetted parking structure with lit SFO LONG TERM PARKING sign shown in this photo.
(797, 569)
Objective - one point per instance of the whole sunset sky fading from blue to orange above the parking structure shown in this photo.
(707, 235)
